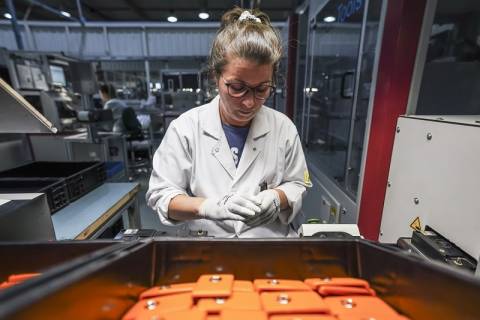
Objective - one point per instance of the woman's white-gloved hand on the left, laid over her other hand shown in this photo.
(230, 207)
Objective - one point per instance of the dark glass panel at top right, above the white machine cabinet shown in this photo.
(451, 76)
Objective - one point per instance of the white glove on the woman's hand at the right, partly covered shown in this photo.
(269, 206)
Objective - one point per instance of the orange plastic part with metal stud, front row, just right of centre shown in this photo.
(292, 302)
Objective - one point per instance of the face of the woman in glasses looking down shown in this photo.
(240, 111)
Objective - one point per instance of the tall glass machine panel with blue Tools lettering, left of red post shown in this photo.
(341, 51)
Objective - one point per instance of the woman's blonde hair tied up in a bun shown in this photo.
(249, 39)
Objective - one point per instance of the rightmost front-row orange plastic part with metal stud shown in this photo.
(367, 307)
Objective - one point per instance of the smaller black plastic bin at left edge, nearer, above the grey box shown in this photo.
(55, 189)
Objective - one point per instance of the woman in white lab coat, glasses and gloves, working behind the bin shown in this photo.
(233, 167)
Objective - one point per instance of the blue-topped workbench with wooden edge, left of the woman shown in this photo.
(89, 216)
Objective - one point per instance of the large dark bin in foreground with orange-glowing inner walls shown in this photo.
(107, 287)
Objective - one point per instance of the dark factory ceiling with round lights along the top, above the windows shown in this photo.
(143, 10)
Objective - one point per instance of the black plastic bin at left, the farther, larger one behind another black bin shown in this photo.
(80, 177)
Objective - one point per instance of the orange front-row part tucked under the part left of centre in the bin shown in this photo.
(238, 300)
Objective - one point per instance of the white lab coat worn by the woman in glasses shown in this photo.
(194, 158)
